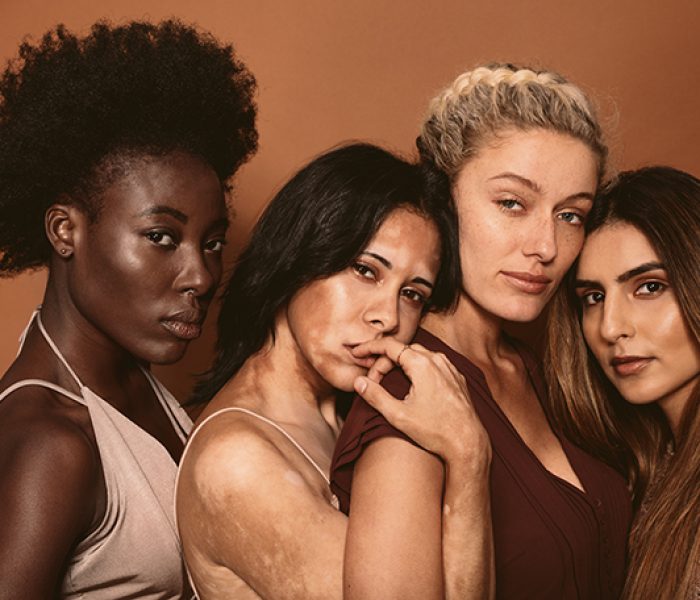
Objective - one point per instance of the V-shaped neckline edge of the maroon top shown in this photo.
(529, 367)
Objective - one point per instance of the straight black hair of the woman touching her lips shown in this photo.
(317, 224)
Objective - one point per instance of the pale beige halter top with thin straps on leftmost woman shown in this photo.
(134, 552)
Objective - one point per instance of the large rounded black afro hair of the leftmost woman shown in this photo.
(71, 109)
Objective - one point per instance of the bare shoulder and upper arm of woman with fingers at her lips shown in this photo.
(247, 505)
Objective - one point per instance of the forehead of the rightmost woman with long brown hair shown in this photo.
(614, 249)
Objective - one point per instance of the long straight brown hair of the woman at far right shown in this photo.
(663, 204)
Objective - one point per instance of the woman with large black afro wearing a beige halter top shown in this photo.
(115, 149)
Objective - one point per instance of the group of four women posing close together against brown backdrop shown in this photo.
(482, 482)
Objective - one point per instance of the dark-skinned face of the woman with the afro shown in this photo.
(144, 273)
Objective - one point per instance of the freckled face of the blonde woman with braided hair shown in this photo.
(522, 201)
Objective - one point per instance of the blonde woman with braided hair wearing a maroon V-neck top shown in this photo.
(524, 155)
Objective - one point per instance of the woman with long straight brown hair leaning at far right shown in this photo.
(630, 317)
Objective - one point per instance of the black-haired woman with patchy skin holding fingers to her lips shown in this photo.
(356, 246)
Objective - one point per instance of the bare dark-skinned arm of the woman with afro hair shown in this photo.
(48, 477)
